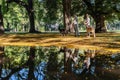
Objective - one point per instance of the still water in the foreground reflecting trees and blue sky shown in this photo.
(57, 63)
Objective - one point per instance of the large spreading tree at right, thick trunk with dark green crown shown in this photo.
(100, 11)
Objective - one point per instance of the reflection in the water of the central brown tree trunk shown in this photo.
(68, 60)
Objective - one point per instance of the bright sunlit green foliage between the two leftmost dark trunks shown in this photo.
(16, 15)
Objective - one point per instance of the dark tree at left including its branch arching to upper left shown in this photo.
(29, 7)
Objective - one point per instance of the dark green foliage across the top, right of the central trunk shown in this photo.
(109, 8)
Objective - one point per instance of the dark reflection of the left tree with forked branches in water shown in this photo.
(29, 63)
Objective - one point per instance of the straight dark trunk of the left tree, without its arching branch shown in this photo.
(31, 16)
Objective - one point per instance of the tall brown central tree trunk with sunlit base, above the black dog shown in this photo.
(66, 13)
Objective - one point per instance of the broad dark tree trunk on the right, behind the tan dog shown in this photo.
(100, 24)
